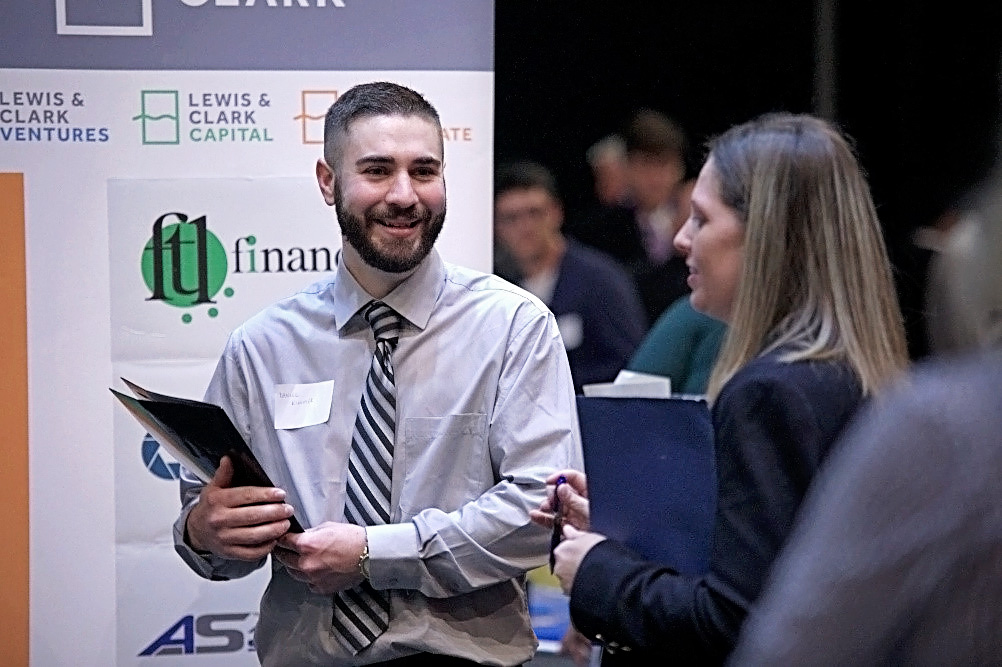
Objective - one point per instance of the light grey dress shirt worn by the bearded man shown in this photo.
(485, 412)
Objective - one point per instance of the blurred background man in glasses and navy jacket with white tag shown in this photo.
(599, 313)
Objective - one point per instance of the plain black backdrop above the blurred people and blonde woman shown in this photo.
(916, 88)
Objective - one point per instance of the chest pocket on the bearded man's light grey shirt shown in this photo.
(443, 462)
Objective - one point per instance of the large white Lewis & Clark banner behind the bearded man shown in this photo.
(106, 154)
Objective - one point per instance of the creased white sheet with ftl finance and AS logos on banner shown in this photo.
(264, 239)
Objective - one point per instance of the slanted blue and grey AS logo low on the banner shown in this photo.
(206, 634)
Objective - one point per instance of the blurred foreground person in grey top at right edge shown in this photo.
(896, 555)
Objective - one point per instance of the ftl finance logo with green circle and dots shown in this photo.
(186, 266)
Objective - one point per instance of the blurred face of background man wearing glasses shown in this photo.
(527, 220)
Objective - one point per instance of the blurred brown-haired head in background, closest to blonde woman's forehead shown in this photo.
(656, 159)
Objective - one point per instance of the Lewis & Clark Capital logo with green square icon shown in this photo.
(167, 118)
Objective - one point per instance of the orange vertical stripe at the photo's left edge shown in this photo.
(14, 423)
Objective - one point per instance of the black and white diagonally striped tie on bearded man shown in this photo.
(362, 614)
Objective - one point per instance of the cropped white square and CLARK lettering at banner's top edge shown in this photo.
(135, 19)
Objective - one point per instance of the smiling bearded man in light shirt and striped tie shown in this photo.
(445, 401)
